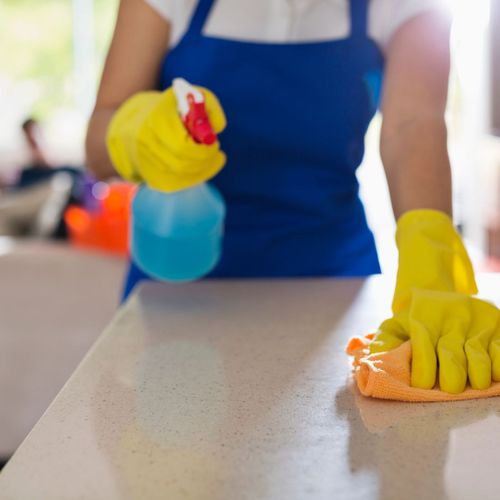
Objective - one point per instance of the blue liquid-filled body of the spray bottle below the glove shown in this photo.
(177, 236)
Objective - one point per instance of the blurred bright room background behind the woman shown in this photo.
(60, 265)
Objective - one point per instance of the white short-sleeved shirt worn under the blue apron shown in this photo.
(282, 21)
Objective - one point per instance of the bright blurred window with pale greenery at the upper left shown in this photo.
(51, 55)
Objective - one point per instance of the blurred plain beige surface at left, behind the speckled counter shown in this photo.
(54, 303)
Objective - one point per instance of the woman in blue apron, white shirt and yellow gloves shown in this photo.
(299, 82)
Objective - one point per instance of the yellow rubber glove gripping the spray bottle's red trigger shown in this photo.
(147, 142)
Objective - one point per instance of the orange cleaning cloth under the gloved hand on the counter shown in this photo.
(386, 375)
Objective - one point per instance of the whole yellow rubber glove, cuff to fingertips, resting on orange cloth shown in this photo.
(432, 298)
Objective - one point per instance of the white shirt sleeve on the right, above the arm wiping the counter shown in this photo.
(386, 16)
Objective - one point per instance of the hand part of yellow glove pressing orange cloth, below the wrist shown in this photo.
(450, 333)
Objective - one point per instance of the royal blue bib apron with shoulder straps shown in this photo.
(297, 117)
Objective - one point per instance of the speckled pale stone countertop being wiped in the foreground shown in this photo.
(241, 390)
